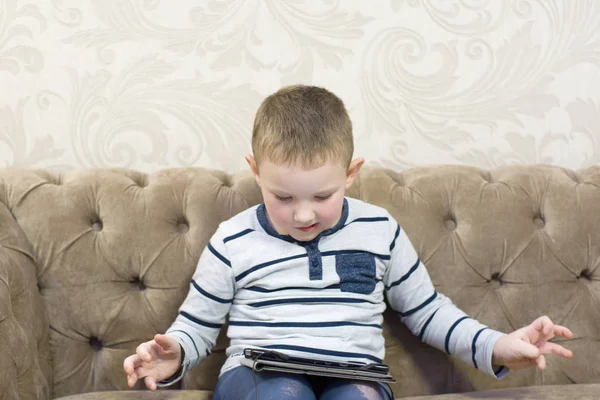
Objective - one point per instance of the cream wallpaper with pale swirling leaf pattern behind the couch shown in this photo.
(151, 84)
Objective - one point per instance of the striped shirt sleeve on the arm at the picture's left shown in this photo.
(203, 312)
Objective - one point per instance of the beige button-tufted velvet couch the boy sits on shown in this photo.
(93, 262)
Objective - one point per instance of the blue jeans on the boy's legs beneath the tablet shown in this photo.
(240, 384)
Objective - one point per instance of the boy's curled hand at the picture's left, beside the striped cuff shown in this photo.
(154, 361)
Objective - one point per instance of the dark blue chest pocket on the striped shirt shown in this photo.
(357, 272)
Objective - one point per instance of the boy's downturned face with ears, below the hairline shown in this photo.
(303, 203)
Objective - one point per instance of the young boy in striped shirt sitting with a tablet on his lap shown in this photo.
(306, 271)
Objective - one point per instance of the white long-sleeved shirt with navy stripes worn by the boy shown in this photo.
(323, 298)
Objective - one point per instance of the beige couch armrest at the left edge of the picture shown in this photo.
(25, 369)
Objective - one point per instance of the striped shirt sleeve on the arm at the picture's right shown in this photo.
(431, 315)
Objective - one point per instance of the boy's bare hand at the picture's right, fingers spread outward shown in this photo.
(526, 346)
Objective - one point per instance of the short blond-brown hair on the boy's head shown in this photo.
(302, 124)
